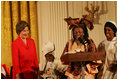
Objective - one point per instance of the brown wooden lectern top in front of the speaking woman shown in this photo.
(88, 56)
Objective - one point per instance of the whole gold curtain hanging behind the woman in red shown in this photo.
(11, 13)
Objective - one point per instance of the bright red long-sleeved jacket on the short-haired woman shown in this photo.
(24, 58)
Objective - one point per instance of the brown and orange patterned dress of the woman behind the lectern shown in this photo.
(74, 70)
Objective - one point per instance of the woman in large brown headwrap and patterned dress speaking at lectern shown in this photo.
(80, 43)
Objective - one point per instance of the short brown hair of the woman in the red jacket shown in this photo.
(21, 26)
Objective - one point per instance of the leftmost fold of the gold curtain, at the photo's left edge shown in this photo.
(6, 34)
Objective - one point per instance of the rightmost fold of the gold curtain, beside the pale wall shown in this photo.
(33, 22)
